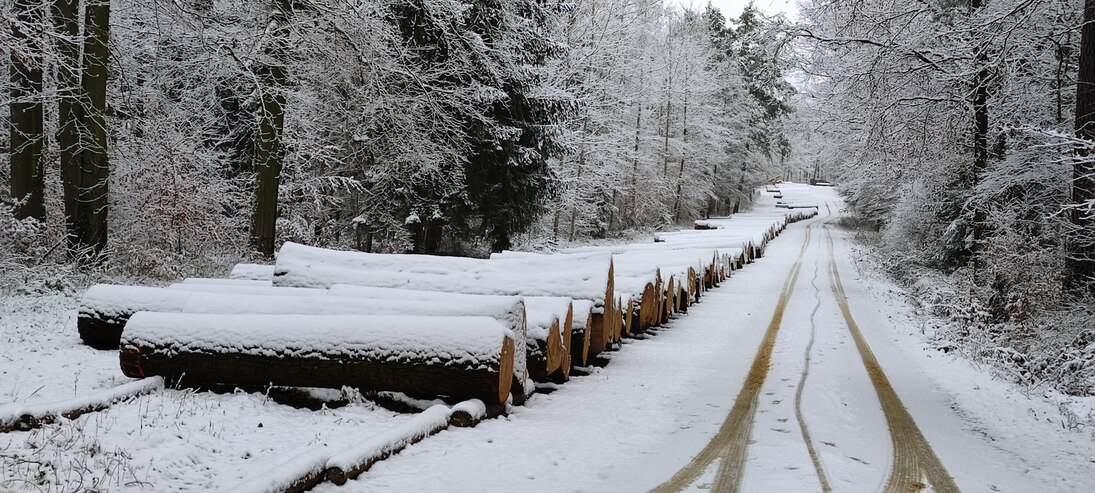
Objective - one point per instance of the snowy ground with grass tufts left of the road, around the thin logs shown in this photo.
(165, 441)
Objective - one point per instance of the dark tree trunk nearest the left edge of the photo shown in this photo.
(27, 113)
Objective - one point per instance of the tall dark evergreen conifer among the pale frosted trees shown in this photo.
(508, 171)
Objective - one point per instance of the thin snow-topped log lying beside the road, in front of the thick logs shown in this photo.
(351, 464)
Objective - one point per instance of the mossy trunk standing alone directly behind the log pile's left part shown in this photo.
(268, 160)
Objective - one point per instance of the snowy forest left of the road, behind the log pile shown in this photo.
(149, 136)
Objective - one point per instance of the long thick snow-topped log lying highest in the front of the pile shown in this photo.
(590, 278)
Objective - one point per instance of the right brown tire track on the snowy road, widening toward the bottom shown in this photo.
(914, 458)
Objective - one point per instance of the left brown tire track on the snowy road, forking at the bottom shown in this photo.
(732, 442)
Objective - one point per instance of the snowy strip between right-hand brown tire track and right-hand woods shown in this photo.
(1034, 430)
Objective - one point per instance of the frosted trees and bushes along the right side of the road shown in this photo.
(962, 131)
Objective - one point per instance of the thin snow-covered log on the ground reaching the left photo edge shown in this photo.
(27, 417)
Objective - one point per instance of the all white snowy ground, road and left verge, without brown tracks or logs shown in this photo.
(627, 427)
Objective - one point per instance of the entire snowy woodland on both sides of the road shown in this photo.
(157, 140)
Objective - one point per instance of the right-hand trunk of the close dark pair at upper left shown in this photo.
(95, 165)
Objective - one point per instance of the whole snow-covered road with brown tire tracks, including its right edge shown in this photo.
(665, 402)
